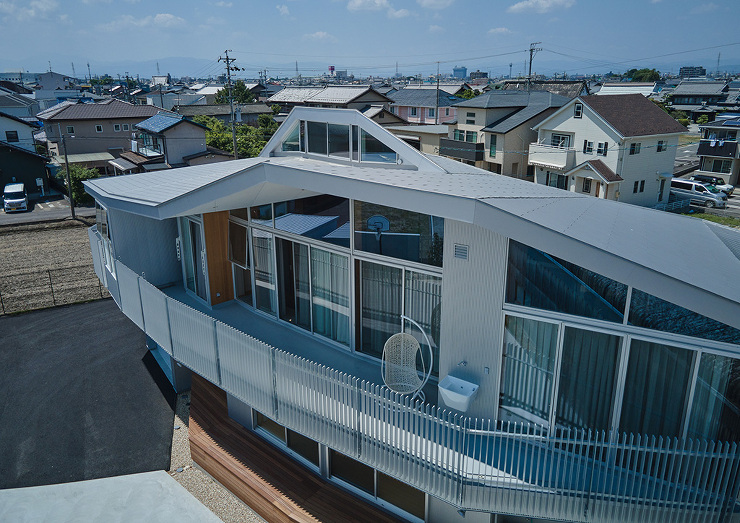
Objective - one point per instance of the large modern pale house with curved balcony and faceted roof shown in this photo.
(597, 379)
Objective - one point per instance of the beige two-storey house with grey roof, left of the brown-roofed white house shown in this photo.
(494, 130)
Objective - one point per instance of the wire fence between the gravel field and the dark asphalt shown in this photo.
(24, 291)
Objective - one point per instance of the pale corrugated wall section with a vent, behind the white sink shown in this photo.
(474, 286)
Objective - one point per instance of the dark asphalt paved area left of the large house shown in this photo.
(77, 399)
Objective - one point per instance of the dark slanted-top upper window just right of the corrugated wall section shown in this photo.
(539, 280)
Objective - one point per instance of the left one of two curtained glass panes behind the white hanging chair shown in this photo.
(380, 291)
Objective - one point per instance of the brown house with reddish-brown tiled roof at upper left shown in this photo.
(103, 127)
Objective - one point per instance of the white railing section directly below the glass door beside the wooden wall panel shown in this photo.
(194, 340)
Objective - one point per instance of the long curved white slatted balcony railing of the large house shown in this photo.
(473, 464)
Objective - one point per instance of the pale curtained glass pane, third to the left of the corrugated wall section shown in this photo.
(330, 280)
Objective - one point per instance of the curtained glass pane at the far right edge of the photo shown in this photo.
(715, 414)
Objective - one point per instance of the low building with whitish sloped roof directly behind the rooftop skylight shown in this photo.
(336, 96)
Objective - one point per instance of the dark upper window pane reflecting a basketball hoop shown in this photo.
(398, 233)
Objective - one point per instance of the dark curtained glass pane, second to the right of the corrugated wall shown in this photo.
(587, 378)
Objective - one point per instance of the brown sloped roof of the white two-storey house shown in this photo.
(633, 115)
